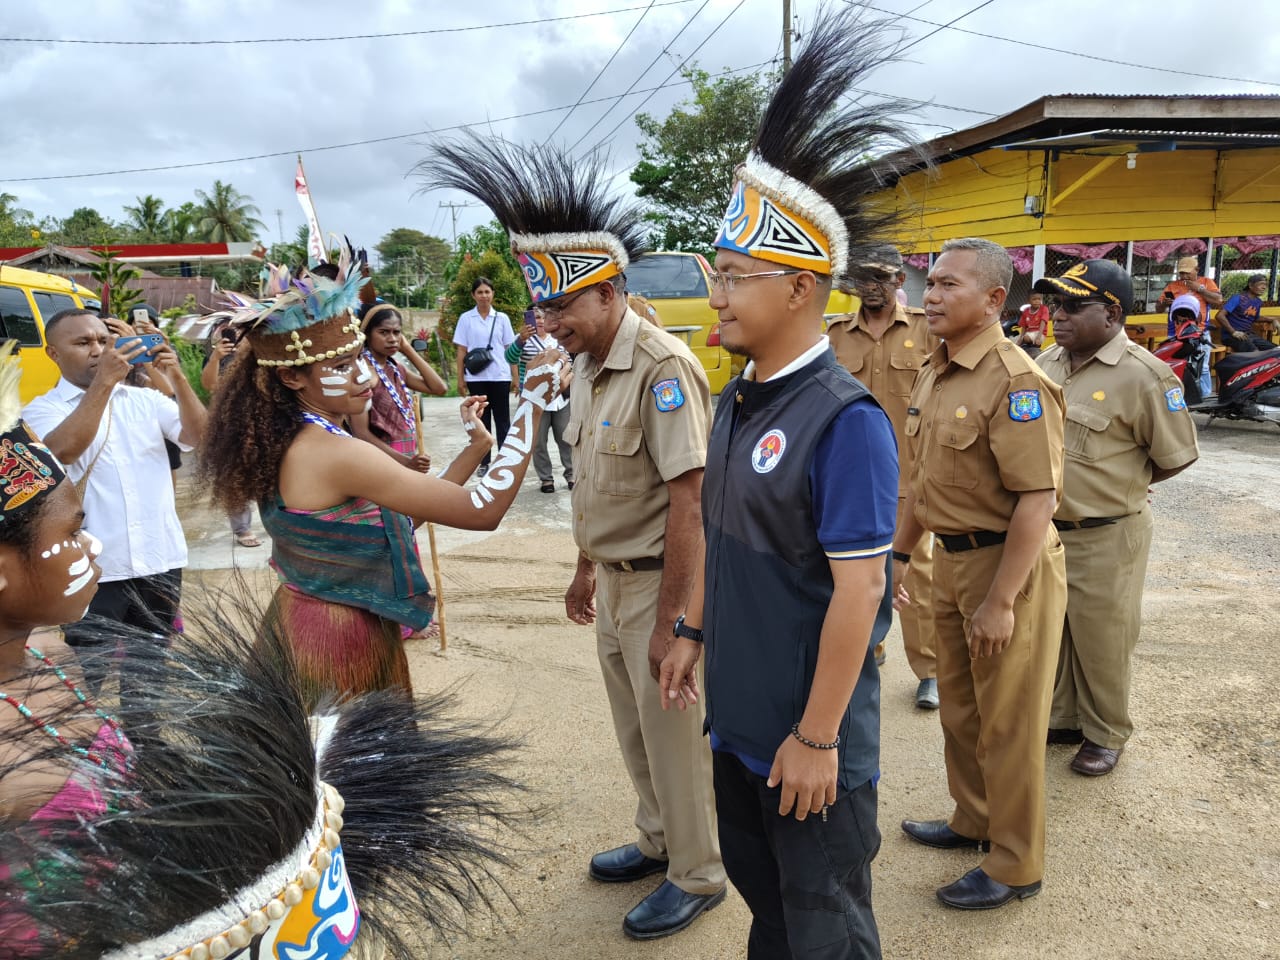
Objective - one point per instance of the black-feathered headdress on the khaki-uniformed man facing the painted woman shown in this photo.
(566, 230)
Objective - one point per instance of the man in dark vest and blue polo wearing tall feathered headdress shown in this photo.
(799, 504)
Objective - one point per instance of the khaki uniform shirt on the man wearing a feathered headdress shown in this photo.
(637, 420)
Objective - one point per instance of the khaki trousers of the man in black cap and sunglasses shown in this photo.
(1107, 568)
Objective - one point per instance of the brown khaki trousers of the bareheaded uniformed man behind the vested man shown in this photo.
(995, 711)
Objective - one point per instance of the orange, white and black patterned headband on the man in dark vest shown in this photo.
(775, 217)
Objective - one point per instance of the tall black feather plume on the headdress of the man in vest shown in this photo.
(840, 149)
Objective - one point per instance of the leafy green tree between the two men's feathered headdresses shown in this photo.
(688, 159)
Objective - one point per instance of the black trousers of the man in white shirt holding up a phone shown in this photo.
(147, 604)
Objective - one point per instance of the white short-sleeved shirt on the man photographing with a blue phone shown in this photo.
(129, 501)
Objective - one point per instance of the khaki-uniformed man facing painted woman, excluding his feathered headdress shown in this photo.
(639, 419)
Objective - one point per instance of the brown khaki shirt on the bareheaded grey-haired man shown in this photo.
(984, 427)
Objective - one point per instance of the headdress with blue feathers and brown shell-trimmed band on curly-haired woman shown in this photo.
(309, 317)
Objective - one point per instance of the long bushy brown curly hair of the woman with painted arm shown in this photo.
(253, 420)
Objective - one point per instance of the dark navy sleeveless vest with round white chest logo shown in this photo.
(769, 579)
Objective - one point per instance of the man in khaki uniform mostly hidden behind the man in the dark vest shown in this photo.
(885, 345)
